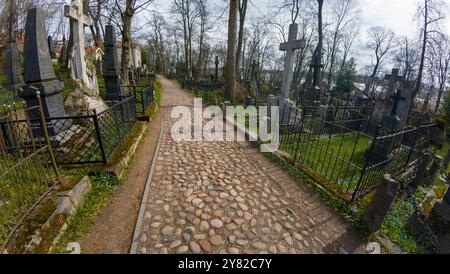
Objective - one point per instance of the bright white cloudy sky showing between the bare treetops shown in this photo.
(395, 14)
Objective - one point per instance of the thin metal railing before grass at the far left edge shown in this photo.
(27, 167)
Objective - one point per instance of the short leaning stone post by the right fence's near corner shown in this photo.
(382, 201)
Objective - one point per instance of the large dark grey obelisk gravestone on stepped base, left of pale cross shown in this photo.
(38, 71)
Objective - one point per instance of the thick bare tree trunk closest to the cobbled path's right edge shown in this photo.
(230, 86)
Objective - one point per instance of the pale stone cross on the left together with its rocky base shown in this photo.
(86, 96)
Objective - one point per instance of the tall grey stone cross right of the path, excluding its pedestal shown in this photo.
(290, 47)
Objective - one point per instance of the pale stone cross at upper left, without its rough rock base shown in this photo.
(78, 15)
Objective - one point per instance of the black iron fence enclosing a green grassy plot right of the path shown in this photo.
(337, 144)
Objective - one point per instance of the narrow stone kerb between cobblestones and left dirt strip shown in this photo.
(142, 208)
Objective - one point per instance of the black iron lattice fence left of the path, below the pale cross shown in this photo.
(89, 139)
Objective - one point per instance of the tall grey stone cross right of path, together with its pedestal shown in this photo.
(288, 74)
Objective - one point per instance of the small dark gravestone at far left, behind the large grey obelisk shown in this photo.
(13, 67)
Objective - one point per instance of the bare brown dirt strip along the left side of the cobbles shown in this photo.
(113, 230)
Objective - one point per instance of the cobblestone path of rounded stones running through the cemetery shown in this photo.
(224, 197)
